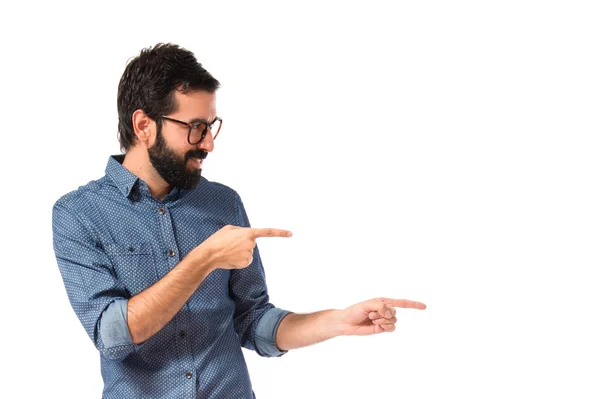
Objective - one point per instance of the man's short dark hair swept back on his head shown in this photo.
(150, 80)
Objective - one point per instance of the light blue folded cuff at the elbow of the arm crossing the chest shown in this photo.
(114, 333)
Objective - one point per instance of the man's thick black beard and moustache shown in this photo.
(171, 166)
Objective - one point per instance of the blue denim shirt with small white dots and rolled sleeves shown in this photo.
(112, 240)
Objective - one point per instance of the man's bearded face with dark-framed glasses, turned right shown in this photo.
(177, 161)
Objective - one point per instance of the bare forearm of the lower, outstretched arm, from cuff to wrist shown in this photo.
(299, 330)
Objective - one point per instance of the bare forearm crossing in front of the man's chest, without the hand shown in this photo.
(150, 310)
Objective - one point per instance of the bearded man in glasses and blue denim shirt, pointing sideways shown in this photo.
(161, 265)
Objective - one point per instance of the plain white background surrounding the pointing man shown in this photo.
(441, 151)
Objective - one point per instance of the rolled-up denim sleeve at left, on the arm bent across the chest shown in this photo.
(98, 299)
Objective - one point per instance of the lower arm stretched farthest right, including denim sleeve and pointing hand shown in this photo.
(271, 331)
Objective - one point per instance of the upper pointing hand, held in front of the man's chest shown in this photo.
(231, 247)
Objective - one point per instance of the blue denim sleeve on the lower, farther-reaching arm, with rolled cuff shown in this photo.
(256, 320)
